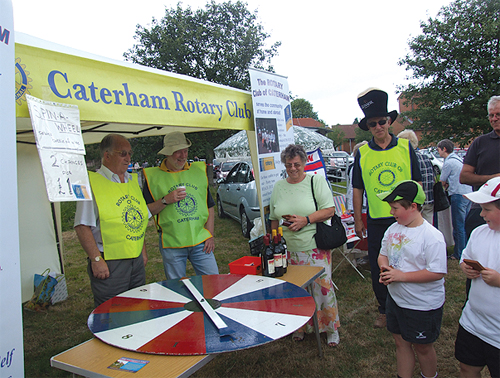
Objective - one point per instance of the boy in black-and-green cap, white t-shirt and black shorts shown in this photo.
(412, 263)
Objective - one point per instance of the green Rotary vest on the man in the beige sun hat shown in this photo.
(181, 224)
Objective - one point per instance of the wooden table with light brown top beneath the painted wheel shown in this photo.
(92, 358)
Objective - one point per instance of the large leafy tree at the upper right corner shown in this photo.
(456, 69)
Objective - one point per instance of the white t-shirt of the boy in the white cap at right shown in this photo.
(481, 314)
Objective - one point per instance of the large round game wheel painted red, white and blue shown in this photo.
(165, 318)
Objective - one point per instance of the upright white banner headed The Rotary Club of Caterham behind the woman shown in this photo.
(273, 128)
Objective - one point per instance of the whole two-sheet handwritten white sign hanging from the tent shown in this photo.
(61, 149)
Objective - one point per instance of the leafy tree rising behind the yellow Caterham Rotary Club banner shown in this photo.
(218, 43)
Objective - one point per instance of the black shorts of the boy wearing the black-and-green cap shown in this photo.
(414, 326)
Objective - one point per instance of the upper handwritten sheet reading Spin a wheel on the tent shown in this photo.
(56, 126)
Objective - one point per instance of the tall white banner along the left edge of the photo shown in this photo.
(11, 328)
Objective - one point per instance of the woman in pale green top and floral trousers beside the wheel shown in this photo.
(292, 199)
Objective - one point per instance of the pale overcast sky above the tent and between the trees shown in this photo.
(331, 50)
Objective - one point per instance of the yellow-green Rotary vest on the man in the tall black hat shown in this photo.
(380, 170)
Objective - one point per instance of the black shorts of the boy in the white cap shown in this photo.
(472, 351)
